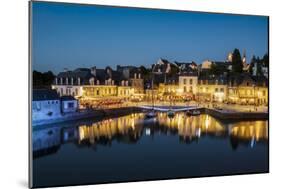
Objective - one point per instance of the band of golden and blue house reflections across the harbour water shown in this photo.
(131, 128)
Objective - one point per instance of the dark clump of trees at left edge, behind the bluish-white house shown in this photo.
(42, 80)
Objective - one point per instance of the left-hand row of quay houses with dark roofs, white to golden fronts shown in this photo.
(96, 83)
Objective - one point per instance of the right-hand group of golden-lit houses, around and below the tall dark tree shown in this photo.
(193, 81)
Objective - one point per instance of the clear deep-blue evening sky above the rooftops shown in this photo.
(71, 36)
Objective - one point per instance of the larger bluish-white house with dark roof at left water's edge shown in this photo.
(45, 104)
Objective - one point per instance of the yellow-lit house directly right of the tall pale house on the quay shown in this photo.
(212, 89)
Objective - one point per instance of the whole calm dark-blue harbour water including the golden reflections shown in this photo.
(133, 148)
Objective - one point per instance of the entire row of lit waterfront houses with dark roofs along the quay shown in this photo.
(168, 80)
